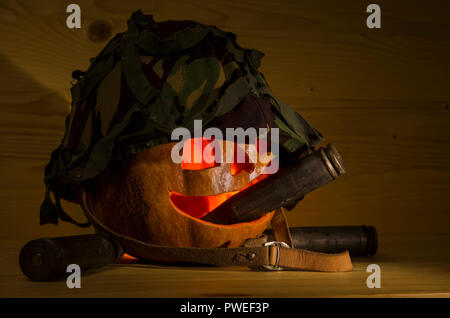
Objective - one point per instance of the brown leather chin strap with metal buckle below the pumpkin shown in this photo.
(256, 253)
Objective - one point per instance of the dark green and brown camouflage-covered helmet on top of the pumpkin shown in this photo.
(147, 81)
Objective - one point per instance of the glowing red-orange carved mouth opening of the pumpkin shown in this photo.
(199, 206)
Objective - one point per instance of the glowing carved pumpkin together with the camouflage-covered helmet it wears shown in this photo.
(148, 81)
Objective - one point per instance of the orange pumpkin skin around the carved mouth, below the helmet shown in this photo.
(132, 198)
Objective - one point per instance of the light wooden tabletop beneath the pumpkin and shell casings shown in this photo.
(410, 267)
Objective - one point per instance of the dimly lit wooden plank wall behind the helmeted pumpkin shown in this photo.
(381, 96)
